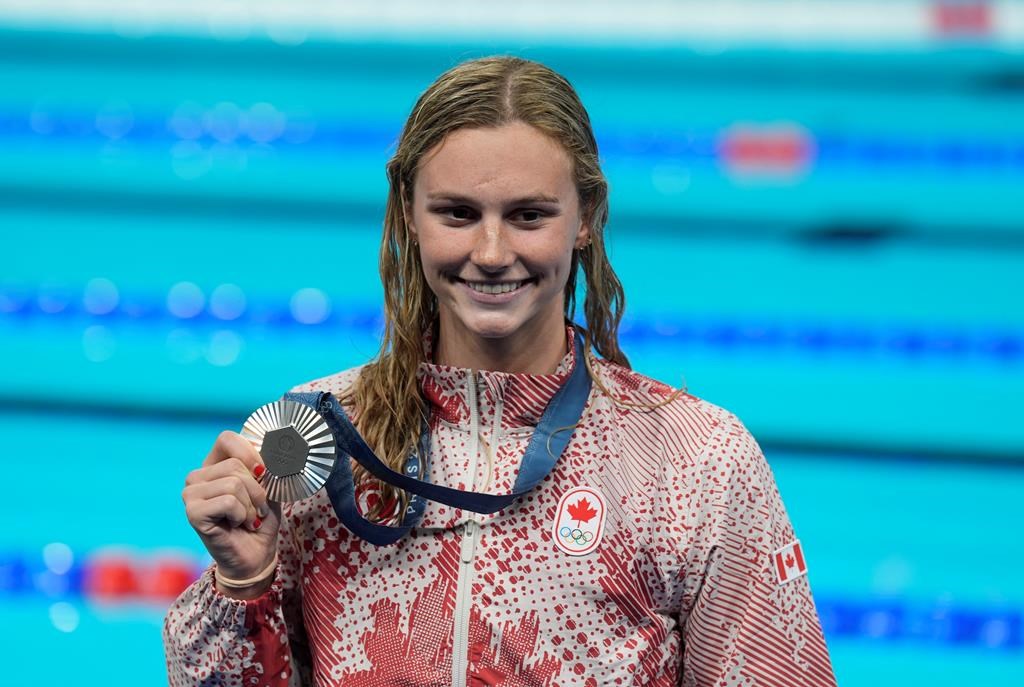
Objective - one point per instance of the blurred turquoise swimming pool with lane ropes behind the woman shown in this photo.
(818, 212)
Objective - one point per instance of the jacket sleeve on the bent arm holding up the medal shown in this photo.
(210, 639)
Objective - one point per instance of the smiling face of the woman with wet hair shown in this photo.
(497, 217)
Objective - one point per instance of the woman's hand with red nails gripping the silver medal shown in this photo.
(229, 510)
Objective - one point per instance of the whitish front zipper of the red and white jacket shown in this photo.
(467, 551)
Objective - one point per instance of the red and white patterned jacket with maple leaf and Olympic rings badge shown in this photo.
(679, 583)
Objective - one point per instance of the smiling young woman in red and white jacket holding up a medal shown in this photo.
(656, 551)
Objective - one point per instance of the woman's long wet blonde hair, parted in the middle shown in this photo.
(480, 94)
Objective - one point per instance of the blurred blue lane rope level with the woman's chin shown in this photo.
(807, 338)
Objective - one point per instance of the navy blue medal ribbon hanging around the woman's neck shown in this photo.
(549, 441)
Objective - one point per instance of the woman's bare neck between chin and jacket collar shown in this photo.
(538, 356)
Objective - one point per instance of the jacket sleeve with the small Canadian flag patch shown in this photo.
(745, 627)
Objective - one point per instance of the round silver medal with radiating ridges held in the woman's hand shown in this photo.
(297, 448)
